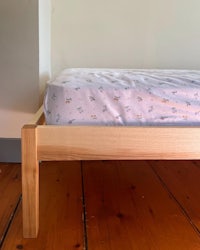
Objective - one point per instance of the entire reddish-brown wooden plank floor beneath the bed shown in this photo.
(106, 205)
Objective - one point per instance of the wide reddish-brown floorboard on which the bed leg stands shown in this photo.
(61, 225)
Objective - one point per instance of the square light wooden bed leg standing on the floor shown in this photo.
(30, 182)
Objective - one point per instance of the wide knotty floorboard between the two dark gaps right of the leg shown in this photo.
(128, 208)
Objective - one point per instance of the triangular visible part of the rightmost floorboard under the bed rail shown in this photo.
(182, 179)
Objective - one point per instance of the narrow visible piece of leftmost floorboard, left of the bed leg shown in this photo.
(10, 192)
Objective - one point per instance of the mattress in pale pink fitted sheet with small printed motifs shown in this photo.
(123, 97)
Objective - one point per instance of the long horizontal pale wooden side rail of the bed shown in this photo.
(117, 143)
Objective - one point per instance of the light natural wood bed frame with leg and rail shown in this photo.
(42, 142)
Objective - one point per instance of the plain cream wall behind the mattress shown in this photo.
(125, 34)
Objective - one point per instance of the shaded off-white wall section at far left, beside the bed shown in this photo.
(19, 68)
